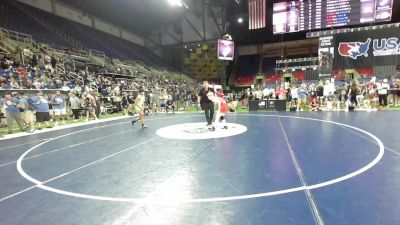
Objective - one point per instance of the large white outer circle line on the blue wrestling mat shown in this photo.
(218, 199)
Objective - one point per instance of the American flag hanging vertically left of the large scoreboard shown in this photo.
(257, 14)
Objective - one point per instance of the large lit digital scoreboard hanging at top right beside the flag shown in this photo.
(303, 15)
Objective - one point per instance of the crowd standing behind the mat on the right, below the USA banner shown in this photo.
(330, 95)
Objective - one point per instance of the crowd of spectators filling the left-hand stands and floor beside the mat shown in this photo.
(36, 95)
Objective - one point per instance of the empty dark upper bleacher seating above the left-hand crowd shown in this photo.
(14, 17)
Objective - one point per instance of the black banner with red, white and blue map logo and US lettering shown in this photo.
(375, 47)
